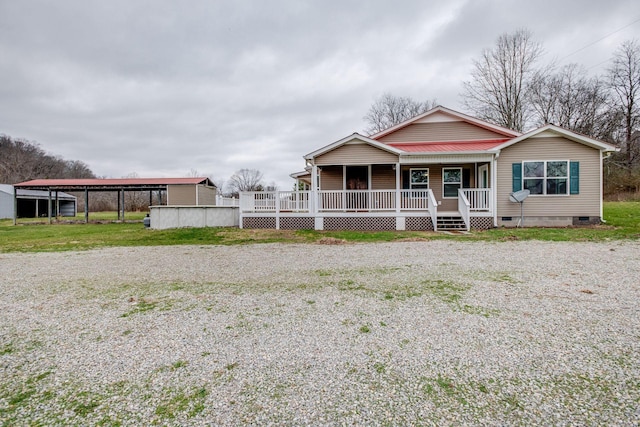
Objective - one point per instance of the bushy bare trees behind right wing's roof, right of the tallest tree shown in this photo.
(570, 99)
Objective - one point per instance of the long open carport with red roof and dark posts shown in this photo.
(187, 191)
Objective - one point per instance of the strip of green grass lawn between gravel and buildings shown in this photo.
(622, 222)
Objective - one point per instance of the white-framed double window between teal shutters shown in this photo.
(546, 177)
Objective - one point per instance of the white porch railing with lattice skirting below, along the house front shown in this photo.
(364, 209)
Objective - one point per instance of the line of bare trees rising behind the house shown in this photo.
(509, 87)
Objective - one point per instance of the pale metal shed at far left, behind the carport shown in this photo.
(35, 203)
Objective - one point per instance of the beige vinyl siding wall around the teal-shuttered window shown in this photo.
(587, 203)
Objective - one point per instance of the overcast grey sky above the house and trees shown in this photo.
(164, 88)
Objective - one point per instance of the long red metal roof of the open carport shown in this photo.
(111, 182)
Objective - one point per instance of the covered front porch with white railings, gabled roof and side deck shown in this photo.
(357, 183)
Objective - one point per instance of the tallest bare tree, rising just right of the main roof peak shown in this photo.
(500, 78)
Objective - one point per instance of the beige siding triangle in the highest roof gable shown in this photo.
(444, 131)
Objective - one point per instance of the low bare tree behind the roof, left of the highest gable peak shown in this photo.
(390, 110)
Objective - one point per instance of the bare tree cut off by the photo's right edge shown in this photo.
(624, 80)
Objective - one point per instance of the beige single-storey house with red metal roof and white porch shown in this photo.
(440, 170)
